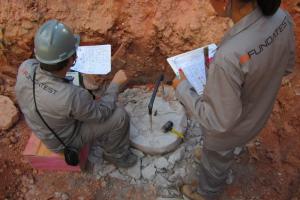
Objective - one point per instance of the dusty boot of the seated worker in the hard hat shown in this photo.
(126, 160)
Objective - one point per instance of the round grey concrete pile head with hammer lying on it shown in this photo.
(165, 109)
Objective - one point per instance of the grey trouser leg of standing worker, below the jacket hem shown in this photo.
(214, 169)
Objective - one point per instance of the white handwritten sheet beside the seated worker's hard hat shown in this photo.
(93, 59)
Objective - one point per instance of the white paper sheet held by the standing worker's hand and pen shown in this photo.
(193, 65)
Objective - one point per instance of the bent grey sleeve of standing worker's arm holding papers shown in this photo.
(220, 106)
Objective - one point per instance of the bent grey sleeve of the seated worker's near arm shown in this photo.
(85, 108)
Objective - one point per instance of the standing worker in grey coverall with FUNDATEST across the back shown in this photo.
(243, 81)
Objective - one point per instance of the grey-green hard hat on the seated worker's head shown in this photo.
(54, 42)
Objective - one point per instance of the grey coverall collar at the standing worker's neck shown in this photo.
(243, 24)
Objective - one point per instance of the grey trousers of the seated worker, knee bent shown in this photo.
(112, 135)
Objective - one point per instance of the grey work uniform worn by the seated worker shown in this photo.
(71, 112)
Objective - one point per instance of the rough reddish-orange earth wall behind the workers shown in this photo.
(148, 31)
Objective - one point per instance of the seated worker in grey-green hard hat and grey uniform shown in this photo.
(53, 106)
